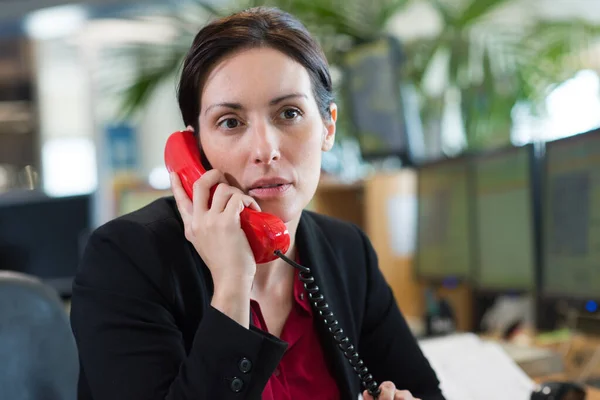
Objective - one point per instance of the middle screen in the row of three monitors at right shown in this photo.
(504, 220)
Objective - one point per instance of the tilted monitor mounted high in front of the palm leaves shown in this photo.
(383, 111)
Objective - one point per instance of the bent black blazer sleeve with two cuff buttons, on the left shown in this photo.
(129, 344)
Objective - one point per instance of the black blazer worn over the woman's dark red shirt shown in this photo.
(145, 329)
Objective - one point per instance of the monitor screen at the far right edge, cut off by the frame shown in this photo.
(571, 217)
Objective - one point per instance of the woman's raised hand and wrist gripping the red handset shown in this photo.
(216, 233)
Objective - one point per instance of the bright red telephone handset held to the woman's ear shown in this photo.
(266, 233)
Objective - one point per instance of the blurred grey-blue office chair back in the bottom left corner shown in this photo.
(38, 355)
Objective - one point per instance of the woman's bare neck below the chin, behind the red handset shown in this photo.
(270, 276)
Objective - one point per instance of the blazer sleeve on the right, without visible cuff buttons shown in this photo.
(387, 344)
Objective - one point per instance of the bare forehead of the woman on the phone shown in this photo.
(254, 74)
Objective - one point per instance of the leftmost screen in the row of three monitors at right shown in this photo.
(443, 249)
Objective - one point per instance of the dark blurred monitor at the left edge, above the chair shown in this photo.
(44, 236)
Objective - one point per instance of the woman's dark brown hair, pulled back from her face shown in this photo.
(255, 27)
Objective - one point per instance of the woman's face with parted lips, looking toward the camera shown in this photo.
(260, 125)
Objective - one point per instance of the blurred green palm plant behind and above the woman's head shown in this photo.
(488, 66)
